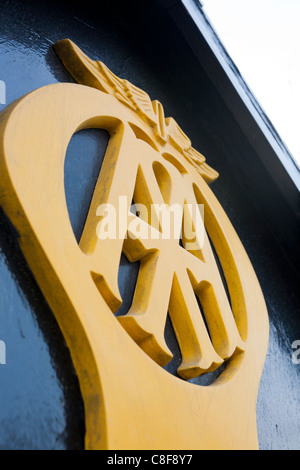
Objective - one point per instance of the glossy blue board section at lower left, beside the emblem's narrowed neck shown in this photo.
(40, 401)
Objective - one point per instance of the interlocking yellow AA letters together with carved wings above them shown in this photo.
(155, 166)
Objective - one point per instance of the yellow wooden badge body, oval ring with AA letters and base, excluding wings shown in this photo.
(130, 401)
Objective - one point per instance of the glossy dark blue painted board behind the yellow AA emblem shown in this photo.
(40, 401)
